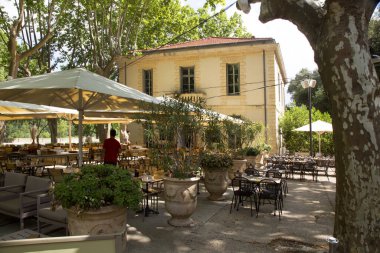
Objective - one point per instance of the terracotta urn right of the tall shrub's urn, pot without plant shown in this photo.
(216, 183)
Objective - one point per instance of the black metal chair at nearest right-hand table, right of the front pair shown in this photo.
(270, 190)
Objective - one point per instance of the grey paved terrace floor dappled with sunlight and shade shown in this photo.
(307, 220)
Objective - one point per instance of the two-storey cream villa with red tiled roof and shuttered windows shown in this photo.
(243, 76)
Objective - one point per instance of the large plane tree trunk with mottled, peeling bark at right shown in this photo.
(338, 32)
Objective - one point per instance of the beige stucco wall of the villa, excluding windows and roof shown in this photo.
(210, 79)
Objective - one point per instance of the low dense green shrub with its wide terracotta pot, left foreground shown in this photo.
(96, 199)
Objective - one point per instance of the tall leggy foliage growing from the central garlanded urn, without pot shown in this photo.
(172, 128)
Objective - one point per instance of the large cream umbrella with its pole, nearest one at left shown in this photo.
(77, 89)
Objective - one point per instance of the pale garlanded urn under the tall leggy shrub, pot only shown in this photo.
(180, 200)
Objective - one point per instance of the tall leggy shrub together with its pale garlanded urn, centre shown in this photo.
(173, 128)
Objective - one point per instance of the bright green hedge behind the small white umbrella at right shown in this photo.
(297, 116)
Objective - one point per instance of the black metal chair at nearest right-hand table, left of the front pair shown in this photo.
(243, 190)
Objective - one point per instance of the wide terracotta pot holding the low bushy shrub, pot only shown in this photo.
(106, 220)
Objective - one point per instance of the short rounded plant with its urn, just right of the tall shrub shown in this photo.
(216, 167)
